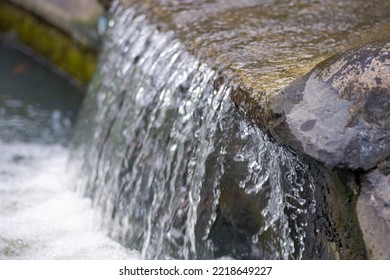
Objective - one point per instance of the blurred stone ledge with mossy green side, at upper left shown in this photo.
(63, 31)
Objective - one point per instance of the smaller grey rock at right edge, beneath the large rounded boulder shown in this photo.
(373, 209)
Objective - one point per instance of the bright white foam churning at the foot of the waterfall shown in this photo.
(40, 217)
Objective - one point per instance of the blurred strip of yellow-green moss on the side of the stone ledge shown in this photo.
(77, 60)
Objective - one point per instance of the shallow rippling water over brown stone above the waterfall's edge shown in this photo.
(265, 45)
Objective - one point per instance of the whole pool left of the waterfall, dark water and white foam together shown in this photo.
(41, 217)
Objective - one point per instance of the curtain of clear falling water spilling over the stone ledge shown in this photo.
(173, 166)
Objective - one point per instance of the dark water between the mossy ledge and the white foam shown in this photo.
(35, 104)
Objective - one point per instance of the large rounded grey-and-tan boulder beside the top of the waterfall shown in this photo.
(339, 113)
